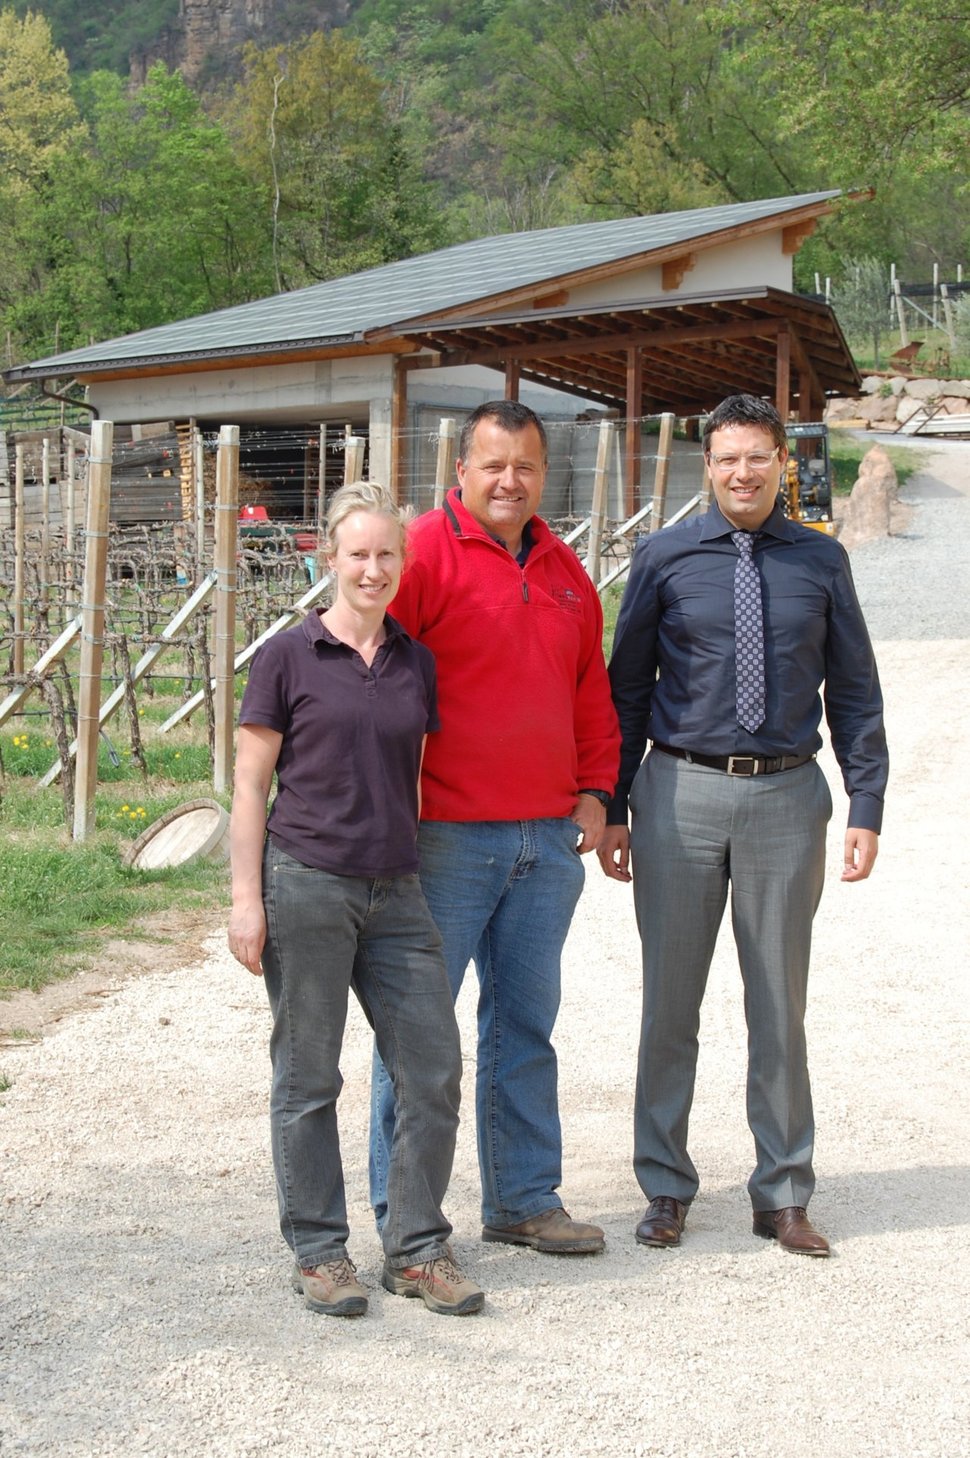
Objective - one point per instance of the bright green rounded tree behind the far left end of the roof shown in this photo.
(144, 219)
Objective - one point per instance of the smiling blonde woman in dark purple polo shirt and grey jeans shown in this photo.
(326, 899)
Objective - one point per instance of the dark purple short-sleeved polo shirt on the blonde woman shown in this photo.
(346, 779)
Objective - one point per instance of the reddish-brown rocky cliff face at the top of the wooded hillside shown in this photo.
(208, 36)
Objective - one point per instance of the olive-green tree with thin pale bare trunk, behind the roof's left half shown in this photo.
(330, 167)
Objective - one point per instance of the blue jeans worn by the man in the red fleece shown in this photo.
(503, 893)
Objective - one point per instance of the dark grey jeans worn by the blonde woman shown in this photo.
(327, 935)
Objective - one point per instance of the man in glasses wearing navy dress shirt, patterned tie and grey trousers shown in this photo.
(718, 806)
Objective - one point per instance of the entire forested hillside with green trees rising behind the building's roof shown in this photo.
(133, 192)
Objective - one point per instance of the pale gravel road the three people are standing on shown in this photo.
(145, 1306)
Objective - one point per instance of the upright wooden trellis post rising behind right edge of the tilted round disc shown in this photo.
(225, 655)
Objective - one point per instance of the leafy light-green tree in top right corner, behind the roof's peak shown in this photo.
(874, 94)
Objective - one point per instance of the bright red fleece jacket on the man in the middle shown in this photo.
(526, 712)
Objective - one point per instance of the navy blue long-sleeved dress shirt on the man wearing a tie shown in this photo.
(673, 668)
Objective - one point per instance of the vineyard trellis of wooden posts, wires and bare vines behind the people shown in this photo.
(103, 615)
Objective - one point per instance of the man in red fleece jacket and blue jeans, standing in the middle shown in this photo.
(514, 791)
